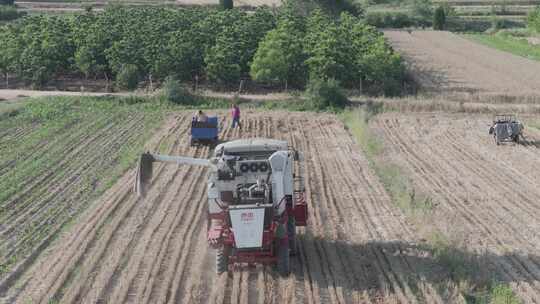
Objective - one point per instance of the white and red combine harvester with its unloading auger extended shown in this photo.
(255, 200)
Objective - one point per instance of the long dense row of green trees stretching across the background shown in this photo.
(221, 46)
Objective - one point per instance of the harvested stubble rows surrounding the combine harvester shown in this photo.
(357, 246)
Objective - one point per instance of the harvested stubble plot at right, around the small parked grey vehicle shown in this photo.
(487, 194)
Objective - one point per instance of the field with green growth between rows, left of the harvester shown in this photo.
(56, 155)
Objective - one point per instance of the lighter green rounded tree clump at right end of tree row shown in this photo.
(319, 46)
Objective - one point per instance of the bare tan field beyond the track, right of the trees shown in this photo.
(442, 61)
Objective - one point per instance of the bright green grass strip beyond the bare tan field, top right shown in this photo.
(516, 46)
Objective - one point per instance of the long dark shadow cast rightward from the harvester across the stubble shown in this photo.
(385, 268)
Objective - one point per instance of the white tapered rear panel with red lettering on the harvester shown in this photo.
(247, 225)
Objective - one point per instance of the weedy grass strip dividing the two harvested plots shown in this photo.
(465, 270)
